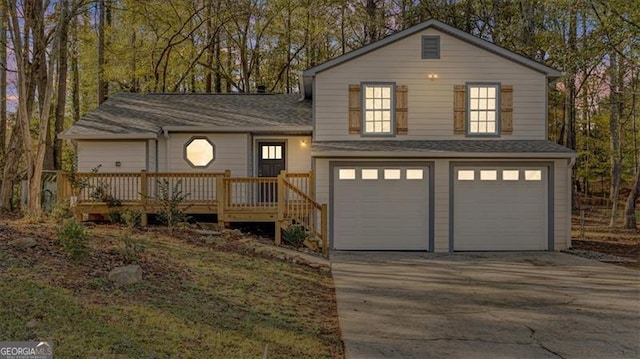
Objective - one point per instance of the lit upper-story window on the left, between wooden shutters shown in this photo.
(378, 109)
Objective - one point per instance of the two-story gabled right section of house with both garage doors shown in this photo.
(432, 139)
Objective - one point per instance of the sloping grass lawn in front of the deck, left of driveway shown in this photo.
(195, 301)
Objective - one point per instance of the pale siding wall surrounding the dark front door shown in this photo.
(297, 152)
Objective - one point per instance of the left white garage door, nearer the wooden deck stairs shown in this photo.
(381, 207)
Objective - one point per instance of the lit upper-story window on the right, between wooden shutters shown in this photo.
(483, 113)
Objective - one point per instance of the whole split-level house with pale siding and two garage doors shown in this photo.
(430, 139)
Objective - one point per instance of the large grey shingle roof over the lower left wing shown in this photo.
(138, 114)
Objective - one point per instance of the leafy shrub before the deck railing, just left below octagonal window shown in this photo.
(171, 200)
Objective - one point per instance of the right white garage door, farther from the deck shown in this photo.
(500, 208)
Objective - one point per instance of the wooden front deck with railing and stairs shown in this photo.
(284, 200)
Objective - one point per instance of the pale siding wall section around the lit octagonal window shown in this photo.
(231, 153)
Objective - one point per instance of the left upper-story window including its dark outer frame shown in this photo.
(377, 104)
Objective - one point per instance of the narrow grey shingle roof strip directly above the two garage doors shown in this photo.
(463, 146)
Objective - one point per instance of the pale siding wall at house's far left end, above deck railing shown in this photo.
(132, 156)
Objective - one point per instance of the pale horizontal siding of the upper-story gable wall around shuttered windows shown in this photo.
(430, 103)
